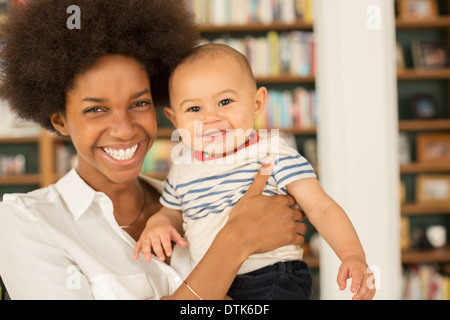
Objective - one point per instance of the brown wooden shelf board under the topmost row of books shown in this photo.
(256, 27)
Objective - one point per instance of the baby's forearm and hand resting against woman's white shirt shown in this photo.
(162, 228)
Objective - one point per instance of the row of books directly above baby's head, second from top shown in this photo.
(276, 53)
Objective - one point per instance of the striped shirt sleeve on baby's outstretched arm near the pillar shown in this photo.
(289, 165)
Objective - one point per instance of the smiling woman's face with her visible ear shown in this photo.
(111, 120)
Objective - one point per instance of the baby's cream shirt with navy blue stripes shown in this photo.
(206, 190)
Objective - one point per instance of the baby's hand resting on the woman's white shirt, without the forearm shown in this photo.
(158, 237)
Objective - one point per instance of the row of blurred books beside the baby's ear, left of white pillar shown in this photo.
(288, 109)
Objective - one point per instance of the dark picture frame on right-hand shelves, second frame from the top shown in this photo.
(429, 54)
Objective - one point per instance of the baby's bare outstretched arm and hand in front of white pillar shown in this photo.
(335, 227)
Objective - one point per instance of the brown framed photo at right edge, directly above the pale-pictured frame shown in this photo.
(433, 148)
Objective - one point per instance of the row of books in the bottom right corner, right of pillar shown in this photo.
(426, 282)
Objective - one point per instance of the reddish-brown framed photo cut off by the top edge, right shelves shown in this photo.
(417, 9)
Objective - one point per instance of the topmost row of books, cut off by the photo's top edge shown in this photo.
(240, 12)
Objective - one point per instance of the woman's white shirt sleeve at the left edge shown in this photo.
(27, 250)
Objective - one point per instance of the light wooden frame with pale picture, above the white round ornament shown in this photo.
(433, 189)
